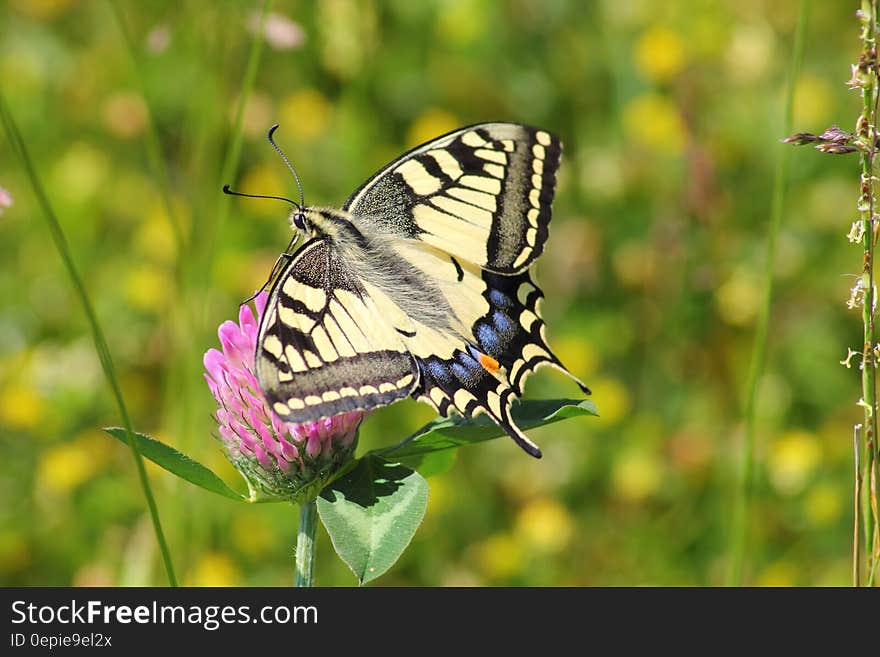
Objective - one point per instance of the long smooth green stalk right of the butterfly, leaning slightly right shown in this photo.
(745, 483)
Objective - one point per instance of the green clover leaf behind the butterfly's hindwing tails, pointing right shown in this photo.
(455, 431)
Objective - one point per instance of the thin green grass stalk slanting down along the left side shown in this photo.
(101, 347)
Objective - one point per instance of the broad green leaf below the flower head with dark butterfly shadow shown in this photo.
(372, 513)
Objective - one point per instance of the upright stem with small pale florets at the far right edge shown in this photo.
(866, 130)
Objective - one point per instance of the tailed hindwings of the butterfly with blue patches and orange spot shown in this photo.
(481, 365)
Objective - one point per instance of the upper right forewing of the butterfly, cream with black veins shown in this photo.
(481, 193)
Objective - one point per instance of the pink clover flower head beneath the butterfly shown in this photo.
(278, 459)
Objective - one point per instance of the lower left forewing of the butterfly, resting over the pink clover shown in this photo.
(323, 347)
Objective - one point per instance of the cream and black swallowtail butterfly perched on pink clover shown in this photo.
(419, 286)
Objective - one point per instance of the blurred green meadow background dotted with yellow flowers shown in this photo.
(671, 117)
